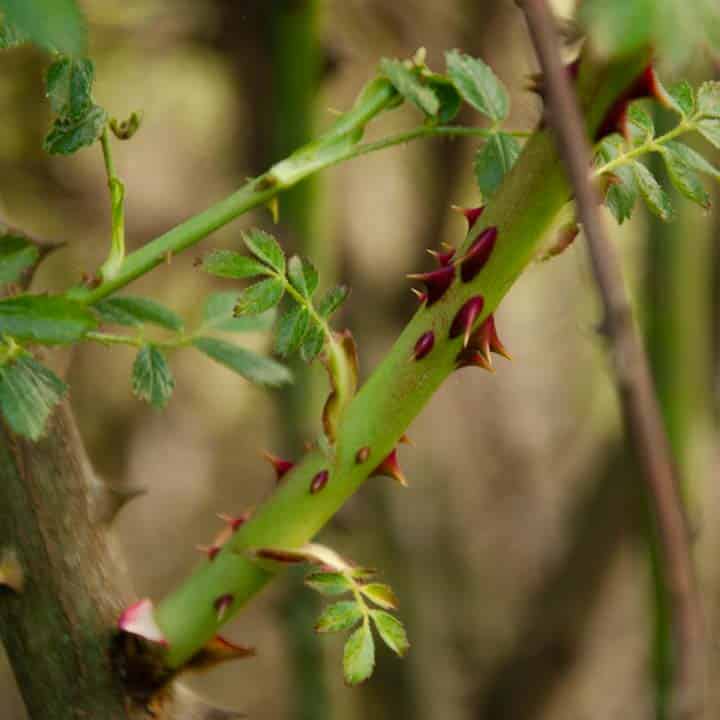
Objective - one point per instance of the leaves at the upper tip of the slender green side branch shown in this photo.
(440, 97)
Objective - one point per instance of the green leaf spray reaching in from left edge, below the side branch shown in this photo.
(29, 391)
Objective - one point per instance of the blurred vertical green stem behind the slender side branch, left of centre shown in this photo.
(296, 69)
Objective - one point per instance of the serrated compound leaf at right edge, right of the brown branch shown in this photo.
(627, 178)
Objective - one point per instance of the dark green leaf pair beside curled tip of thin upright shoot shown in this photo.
(79, 122)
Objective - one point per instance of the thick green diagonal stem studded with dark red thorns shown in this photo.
(523, 210)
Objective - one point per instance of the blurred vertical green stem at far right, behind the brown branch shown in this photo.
(678, 317)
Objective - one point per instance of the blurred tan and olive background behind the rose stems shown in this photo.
(522, 551)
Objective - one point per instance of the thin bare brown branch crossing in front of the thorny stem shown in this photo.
(639, 404)
